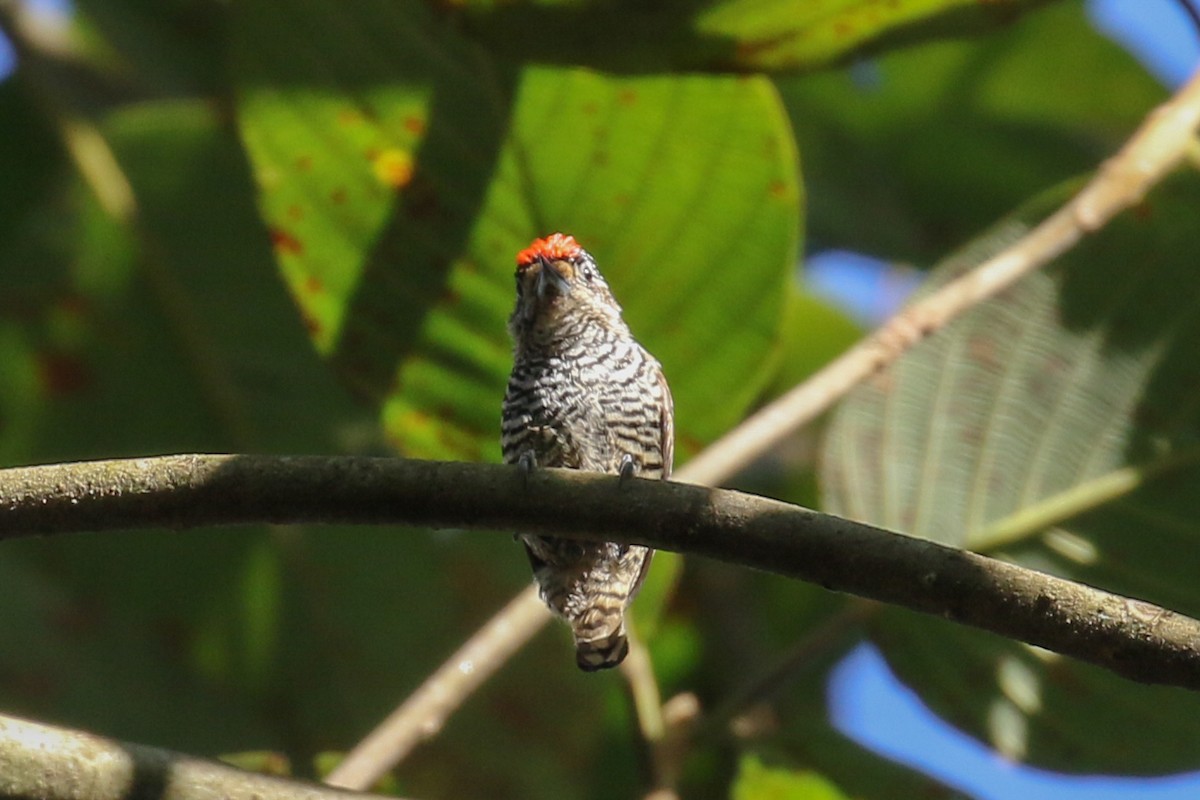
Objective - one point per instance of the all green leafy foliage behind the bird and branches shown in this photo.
(290, 228)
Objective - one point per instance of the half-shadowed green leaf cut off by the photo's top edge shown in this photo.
(737, 35)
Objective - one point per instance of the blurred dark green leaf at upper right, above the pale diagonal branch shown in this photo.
(914, 153)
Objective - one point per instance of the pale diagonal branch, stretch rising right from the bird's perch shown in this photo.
(1154, 151)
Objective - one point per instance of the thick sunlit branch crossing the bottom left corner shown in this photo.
(43, 762)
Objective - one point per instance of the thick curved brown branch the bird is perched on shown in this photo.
(1130, 637)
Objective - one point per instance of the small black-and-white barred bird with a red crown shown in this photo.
(583, 395)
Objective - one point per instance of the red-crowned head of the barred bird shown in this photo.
(560, 291)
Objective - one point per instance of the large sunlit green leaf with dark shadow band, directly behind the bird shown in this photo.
(401, 170)
